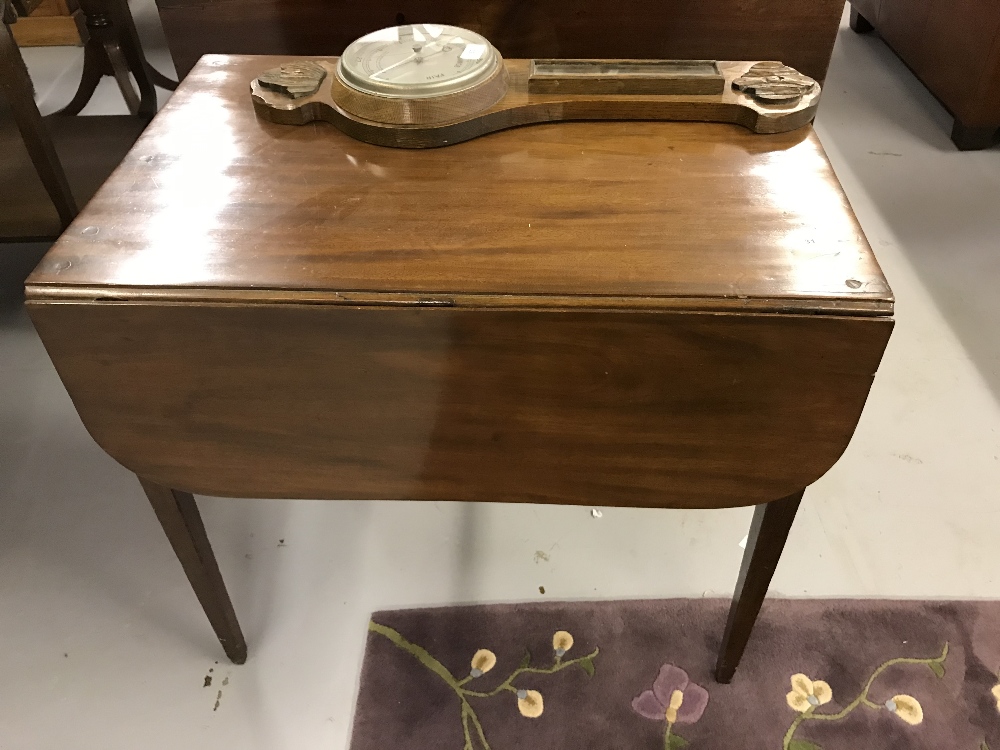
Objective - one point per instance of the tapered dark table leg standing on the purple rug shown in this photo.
(768, 532)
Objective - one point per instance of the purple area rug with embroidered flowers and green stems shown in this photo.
(829, 674)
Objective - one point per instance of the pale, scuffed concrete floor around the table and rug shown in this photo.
(103, 645)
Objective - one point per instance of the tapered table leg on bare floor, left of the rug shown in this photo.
(179, 516)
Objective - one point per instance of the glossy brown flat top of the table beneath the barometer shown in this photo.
(213, 203)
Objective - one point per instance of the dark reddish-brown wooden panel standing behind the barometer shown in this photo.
(800, 33)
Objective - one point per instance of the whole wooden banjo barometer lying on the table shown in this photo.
(426, 85)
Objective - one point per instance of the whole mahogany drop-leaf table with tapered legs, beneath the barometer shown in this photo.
(657, 315)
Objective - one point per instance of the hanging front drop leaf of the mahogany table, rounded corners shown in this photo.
(658, 409)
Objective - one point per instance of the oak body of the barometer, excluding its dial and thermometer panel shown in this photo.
(494, 105)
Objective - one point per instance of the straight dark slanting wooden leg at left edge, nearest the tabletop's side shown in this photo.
(15, 84)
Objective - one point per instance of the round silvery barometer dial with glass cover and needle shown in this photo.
(417, 60)
